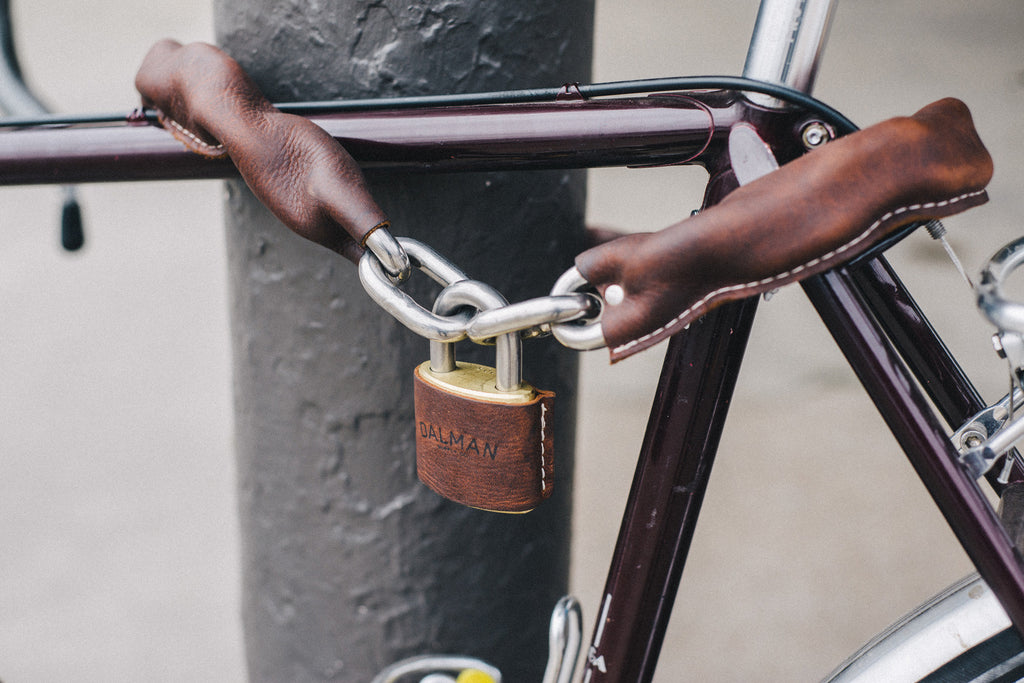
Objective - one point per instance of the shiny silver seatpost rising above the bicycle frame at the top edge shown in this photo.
(788, 44)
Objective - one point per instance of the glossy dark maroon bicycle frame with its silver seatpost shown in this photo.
(876, 323)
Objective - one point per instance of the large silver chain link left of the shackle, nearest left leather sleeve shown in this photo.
(380, 288)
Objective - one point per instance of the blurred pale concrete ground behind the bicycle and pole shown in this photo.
(118, 531)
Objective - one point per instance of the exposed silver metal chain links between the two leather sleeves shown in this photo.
(572, 316)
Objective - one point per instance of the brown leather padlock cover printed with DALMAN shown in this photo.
(493, 456)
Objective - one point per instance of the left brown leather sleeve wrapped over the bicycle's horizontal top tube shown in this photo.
(207, 102)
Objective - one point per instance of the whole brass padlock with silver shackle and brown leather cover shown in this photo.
(484, 438)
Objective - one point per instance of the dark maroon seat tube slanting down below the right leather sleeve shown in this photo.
(687, 421)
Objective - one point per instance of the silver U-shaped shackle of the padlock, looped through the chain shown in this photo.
(508, 363)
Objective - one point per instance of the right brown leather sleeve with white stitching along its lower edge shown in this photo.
(810, 216)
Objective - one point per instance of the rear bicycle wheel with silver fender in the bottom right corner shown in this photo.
(961, 635)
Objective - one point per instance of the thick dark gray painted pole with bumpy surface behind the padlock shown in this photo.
(350, 564)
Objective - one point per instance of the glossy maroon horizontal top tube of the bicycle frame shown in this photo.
(656, 131)
